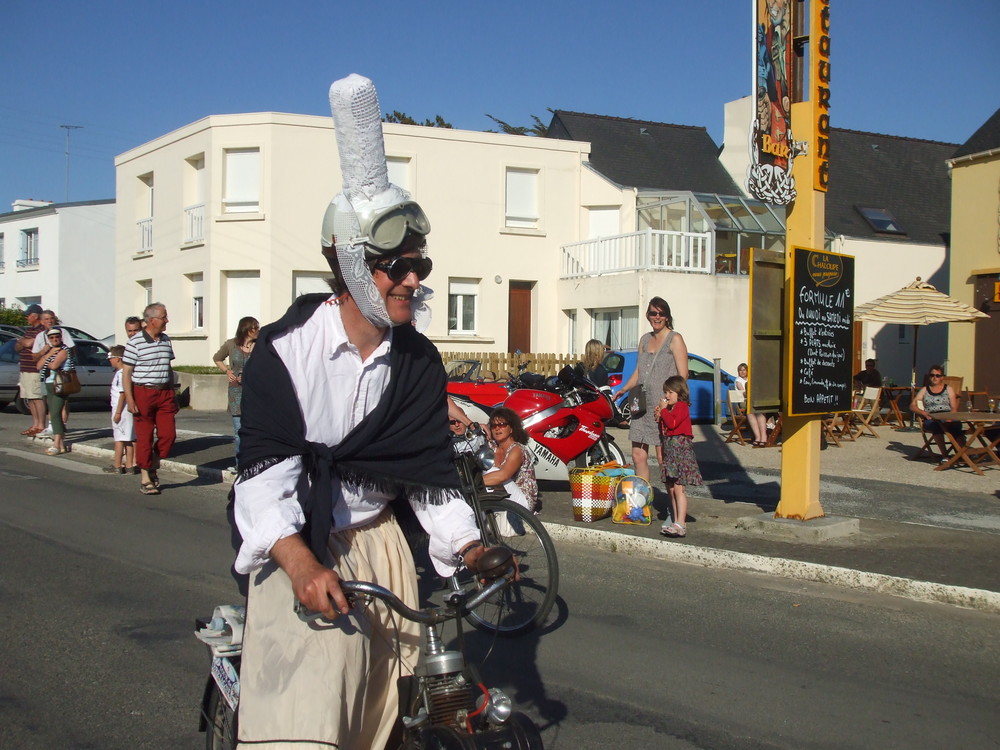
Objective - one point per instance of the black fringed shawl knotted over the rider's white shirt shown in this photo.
(403, 445)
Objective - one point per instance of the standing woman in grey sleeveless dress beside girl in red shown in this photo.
(662, 353)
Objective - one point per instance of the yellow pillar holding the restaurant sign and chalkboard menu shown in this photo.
(801, 435)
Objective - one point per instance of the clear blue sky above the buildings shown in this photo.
(131, 71)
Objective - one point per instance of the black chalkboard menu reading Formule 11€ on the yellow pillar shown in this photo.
(821, 310)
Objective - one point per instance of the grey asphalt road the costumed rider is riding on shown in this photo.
(101, 585)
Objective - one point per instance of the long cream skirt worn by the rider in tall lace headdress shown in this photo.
(323, 684)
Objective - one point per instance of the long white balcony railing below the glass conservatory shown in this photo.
(651, 250)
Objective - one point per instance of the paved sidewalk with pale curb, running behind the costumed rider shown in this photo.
(924, 534)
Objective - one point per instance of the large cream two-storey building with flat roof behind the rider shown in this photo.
(221, 219)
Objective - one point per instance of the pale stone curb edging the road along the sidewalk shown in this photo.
(907, 588)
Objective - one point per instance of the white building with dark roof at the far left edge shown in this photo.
(61, 256)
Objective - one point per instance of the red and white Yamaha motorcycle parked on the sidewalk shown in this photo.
(564, 417)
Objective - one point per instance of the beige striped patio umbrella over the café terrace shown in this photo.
(917, 304)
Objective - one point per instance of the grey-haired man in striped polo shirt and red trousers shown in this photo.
(148, 382)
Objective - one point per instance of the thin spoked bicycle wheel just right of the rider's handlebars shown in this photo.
(527, 602)
